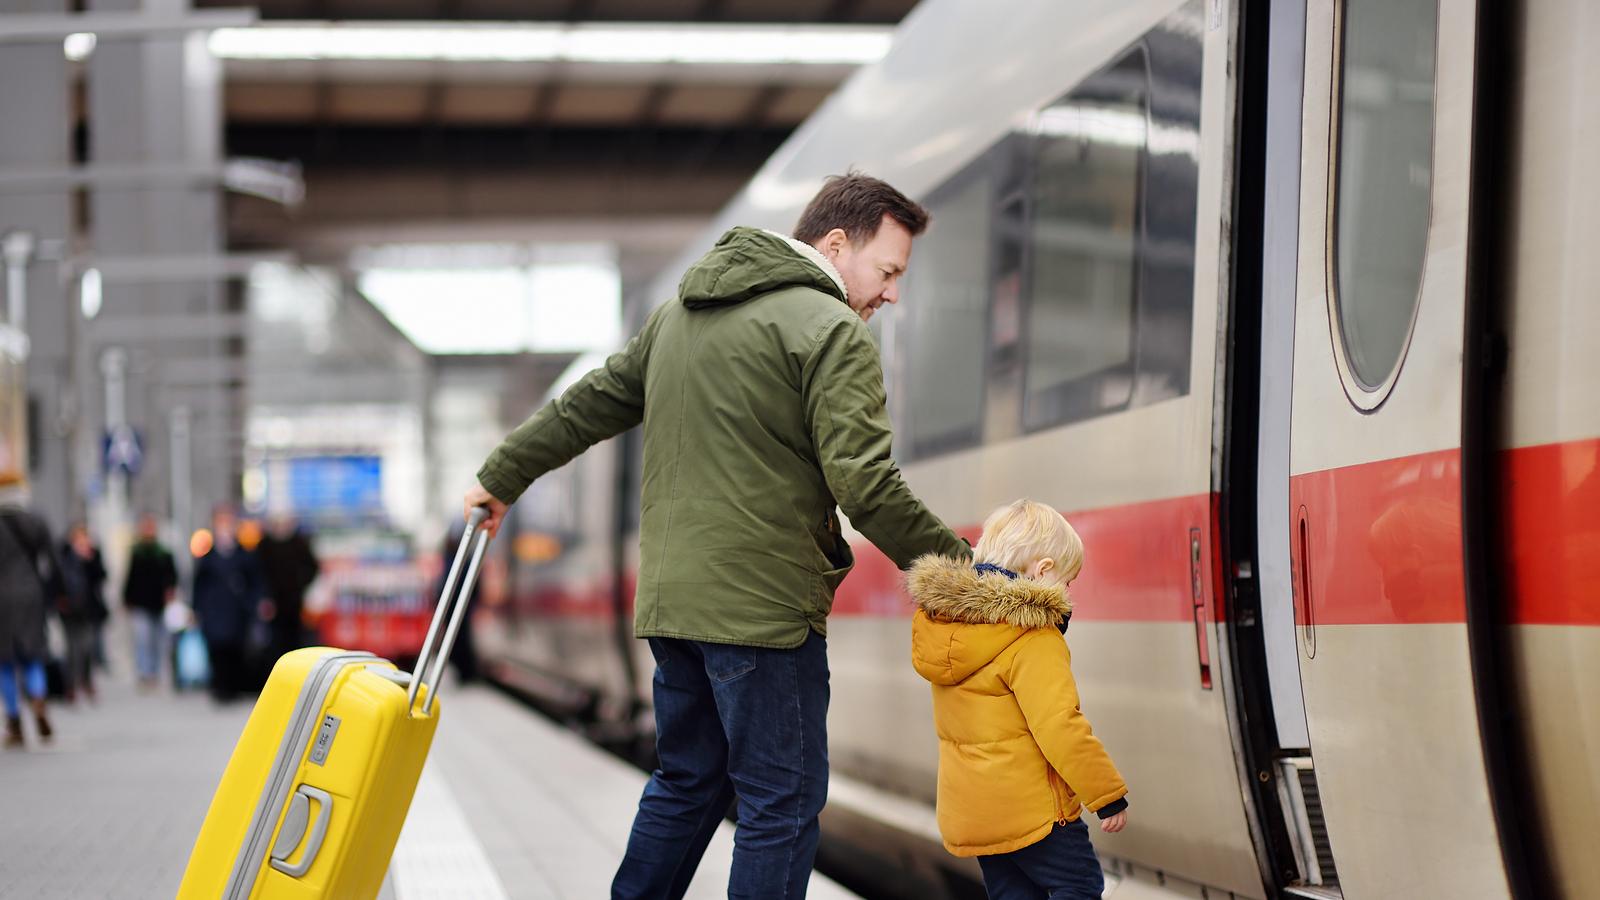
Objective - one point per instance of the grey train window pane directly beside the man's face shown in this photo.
(948, 292)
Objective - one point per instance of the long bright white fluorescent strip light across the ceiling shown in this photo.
(516, 42)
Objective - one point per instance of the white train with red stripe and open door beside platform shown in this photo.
(1290, 308)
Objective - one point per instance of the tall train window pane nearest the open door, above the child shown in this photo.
(1084, 246)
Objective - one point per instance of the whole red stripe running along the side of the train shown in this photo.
(1385, 547)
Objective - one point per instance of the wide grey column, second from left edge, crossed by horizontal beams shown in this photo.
(156, 102)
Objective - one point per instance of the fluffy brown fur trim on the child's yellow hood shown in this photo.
(954, 592)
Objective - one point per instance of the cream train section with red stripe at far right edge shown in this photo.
(1546, 529)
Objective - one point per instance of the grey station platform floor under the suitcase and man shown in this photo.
(510, 805)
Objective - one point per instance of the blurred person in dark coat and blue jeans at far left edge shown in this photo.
(30, 585)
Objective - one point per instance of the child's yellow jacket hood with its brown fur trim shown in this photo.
(967, 617)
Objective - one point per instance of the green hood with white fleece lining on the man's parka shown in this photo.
(748, 263)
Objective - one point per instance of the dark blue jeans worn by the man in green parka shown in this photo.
(732, 723)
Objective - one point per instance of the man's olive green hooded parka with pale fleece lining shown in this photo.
(762, 400)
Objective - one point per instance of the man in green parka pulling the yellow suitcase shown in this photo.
(762, 398)
